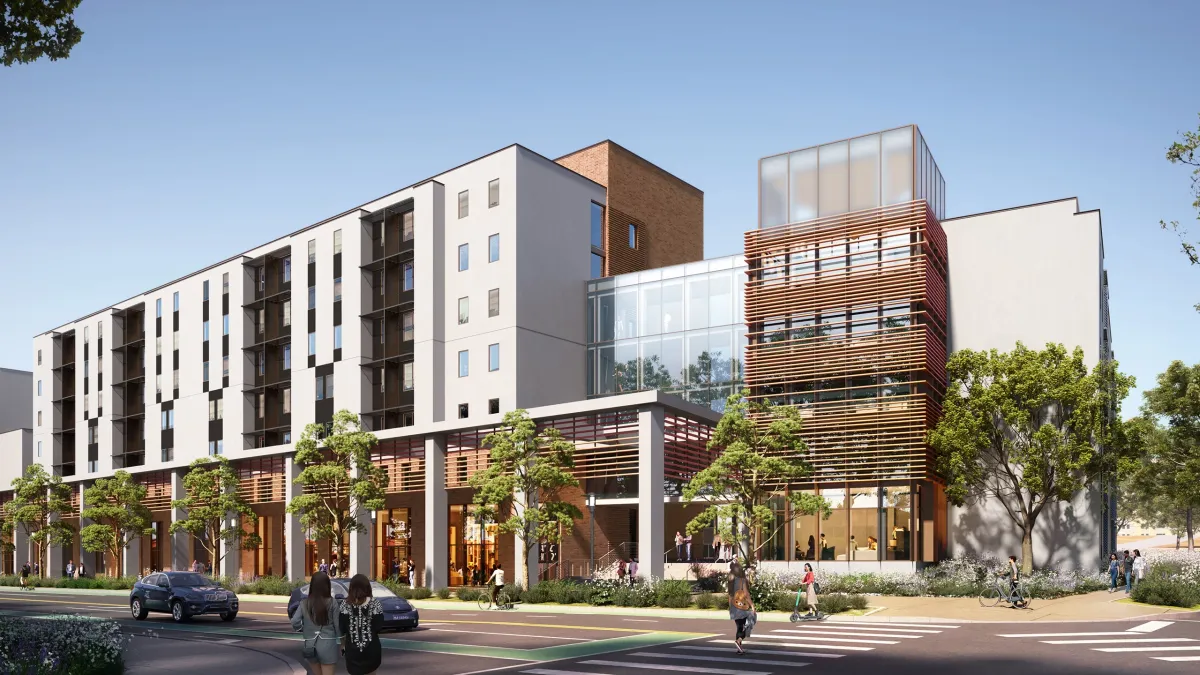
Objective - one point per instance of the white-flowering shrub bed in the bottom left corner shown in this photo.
(67, 646)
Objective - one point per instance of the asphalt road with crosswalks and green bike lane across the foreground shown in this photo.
(526, 642)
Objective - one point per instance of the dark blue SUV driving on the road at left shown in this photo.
(183, 595)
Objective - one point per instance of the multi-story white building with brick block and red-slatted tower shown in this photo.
(575, 289)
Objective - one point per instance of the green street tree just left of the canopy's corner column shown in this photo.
(519, 491)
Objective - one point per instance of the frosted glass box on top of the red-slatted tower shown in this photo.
(878, 170)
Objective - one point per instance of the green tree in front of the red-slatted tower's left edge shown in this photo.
(761, 457)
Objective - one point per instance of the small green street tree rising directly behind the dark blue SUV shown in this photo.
(213, 510)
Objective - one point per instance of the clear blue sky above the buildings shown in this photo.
(181, 134)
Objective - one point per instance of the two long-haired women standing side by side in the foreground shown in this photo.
(340, 629)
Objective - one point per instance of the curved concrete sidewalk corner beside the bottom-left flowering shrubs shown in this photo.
(148, 655)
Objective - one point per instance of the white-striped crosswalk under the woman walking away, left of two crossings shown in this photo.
(770, 650)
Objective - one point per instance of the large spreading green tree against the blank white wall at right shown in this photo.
(1027, 429)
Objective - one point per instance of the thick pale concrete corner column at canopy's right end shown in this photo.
(650, 493)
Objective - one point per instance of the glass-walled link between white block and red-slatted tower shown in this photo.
(680, 330)
